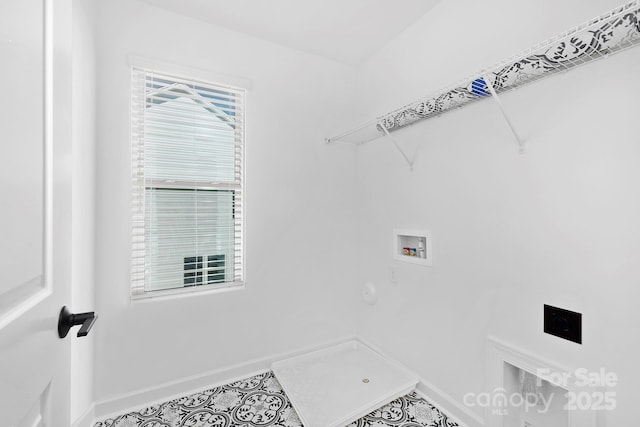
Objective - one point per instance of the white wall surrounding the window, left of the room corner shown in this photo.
(300, 237)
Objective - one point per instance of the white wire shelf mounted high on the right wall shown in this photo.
(598, 38)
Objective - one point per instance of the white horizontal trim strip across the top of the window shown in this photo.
(146, 63)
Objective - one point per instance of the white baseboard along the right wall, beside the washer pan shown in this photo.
(443, 401)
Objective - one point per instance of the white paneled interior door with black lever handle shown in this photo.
(35, 211)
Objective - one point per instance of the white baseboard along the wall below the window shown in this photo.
(171, 390)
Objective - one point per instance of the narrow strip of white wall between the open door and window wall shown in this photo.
(83, 212)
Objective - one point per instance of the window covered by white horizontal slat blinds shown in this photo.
(187, 172)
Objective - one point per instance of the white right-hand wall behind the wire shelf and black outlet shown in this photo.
(557, 225)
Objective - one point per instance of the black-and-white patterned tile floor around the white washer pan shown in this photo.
(259, 401)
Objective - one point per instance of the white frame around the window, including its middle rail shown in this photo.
(137, 280)
